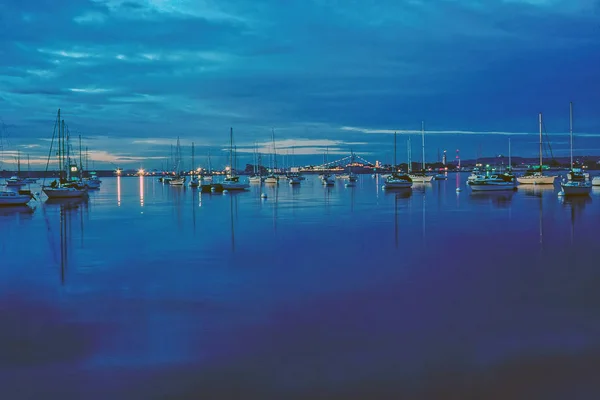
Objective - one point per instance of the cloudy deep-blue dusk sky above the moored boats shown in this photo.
(132, 76)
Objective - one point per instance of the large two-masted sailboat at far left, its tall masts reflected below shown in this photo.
(66, 187)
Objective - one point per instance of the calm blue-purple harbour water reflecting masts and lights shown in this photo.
(150, 291)
